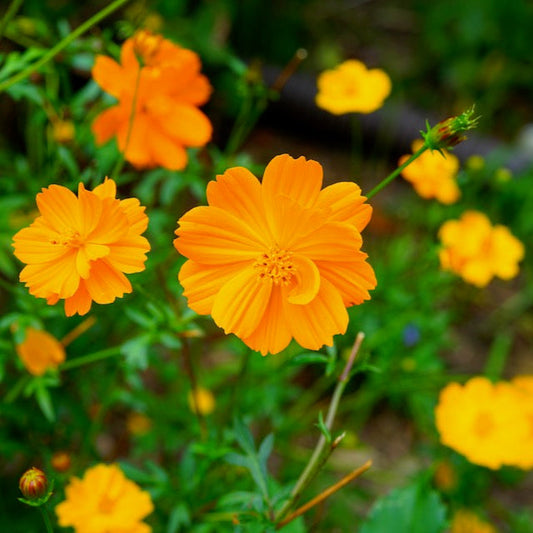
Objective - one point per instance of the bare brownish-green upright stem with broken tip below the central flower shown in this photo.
(321, 453)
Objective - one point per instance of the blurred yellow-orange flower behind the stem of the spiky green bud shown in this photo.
(433, 174)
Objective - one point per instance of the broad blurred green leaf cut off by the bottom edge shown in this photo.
(413, 509)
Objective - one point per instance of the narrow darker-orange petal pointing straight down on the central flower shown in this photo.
(272, 333)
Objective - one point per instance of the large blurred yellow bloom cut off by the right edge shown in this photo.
(491, 424)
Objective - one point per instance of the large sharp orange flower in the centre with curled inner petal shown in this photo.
(279, 259)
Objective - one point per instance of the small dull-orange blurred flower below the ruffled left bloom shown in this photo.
(40, 351)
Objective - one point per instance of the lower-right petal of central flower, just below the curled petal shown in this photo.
(314, 324)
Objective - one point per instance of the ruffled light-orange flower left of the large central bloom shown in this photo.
(80, 247)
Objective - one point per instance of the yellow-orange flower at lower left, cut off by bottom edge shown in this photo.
(104, 501)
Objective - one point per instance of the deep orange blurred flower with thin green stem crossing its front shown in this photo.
(164, 82)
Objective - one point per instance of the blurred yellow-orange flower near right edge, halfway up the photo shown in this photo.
(478, 251)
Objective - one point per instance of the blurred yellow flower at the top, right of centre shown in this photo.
(352, 88)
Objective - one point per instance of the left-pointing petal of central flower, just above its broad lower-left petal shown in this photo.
(202, 283)
